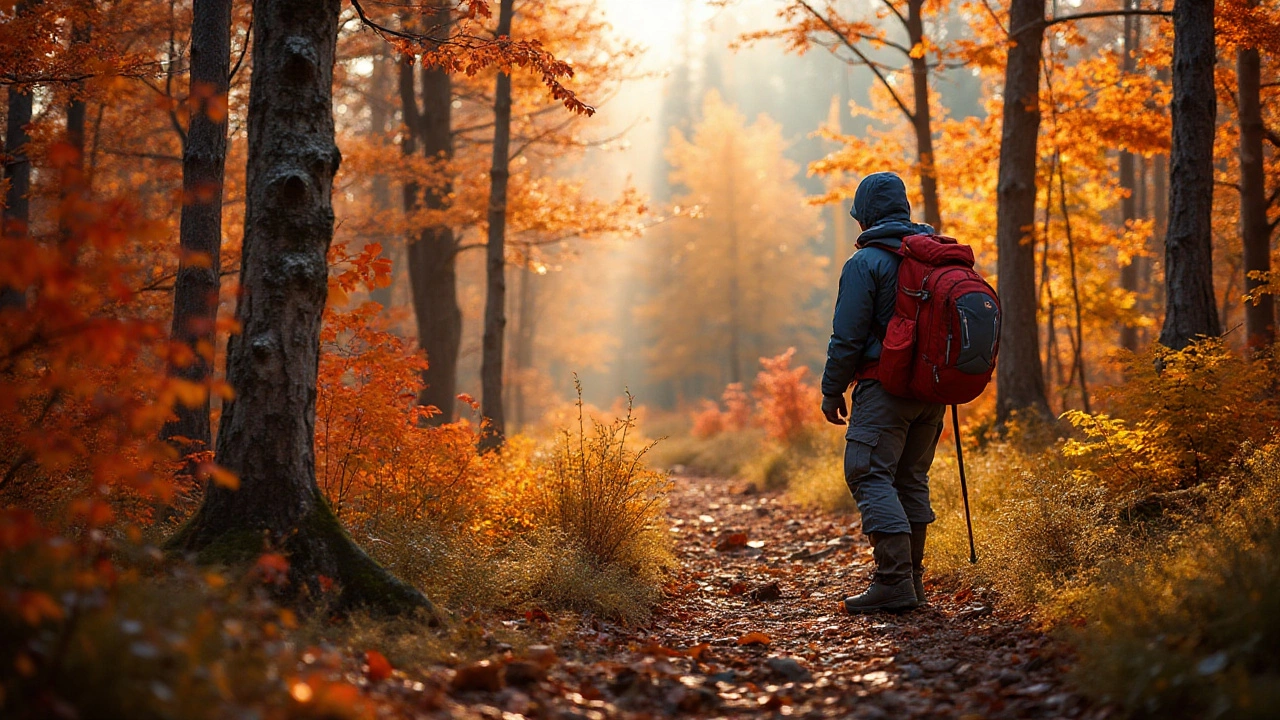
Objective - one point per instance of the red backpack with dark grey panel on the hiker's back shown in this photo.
(941, 344)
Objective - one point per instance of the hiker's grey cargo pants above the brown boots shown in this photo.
(890, 449)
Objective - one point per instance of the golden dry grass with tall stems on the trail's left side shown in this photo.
(592, 537)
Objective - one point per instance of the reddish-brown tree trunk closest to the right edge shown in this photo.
(1255, 231)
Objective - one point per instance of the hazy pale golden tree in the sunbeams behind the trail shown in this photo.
(739, 272)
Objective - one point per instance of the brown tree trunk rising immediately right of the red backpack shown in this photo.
(1020, 380)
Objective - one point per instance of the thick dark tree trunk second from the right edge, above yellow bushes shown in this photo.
(1190, 304)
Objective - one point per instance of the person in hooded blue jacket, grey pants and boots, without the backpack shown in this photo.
(892, 440)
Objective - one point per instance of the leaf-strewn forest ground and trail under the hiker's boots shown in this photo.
(753, 627)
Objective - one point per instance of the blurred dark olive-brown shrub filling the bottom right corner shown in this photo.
(1191, 630)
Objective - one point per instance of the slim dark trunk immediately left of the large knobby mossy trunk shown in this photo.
(200, 235)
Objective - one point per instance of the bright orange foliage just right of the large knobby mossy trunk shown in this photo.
(377, 459)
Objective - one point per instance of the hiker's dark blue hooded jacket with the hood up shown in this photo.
(868, 284)
